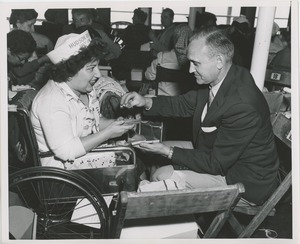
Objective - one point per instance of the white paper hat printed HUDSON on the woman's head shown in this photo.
(69, 45)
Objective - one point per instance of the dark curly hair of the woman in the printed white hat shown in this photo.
(66, 69)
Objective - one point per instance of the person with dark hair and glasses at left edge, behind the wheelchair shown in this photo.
(24, 68)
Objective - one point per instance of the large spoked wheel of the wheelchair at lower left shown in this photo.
(66, 205)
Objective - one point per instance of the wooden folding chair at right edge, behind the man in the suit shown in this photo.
(282, 128)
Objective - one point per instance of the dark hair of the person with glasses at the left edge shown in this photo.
(19, 42)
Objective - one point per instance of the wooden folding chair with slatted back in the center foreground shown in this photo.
(139, 205)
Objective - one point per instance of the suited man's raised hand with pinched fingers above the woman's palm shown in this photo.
(133, 99)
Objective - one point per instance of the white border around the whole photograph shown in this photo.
(4, 5)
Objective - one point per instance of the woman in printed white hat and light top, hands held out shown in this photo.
(65, 114)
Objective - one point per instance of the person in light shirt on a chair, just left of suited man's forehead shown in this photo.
(174, 59)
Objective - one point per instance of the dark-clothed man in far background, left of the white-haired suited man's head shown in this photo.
(164, 41)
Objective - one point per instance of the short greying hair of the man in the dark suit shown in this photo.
(217, 40)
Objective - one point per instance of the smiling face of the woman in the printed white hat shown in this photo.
(85, 79)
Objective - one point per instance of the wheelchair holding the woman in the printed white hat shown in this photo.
(65, 204)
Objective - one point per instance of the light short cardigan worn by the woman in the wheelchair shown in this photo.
(59, 119)
